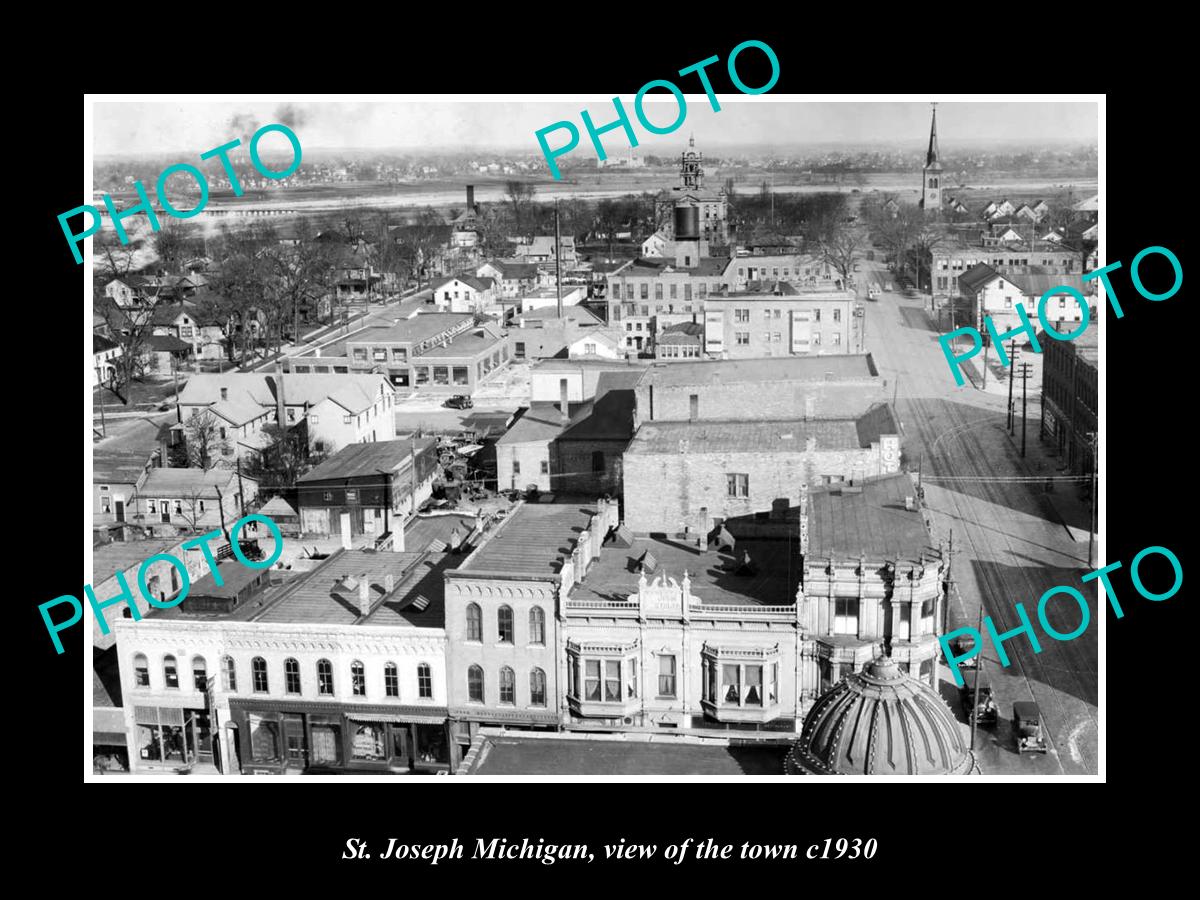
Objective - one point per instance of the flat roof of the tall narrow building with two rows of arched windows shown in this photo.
(535, 541)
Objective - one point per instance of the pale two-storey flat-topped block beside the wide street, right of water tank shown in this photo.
(776, 320)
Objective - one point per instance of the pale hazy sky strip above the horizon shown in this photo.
(191, 128)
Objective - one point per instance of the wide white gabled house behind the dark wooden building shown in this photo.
(338, 410)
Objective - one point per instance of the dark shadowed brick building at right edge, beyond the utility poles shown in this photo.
(1070, 399)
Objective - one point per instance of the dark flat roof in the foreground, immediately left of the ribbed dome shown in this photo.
(664, 755)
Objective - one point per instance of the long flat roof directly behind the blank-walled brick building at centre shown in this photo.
(783, 369)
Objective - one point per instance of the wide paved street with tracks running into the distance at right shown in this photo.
(1011, 544)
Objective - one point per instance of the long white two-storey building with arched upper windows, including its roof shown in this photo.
(340, 669)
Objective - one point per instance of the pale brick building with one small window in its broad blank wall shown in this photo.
(688, 477)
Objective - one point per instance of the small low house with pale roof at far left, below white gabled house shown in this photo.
(177, 501)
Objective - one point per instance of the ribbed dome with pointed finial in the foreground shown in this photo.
(880, 722)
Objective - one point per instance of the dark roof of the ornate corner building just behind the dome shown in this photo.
(872, 523)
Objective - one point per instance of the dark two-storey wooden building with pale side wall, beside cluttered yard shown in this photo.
(380, 485)
